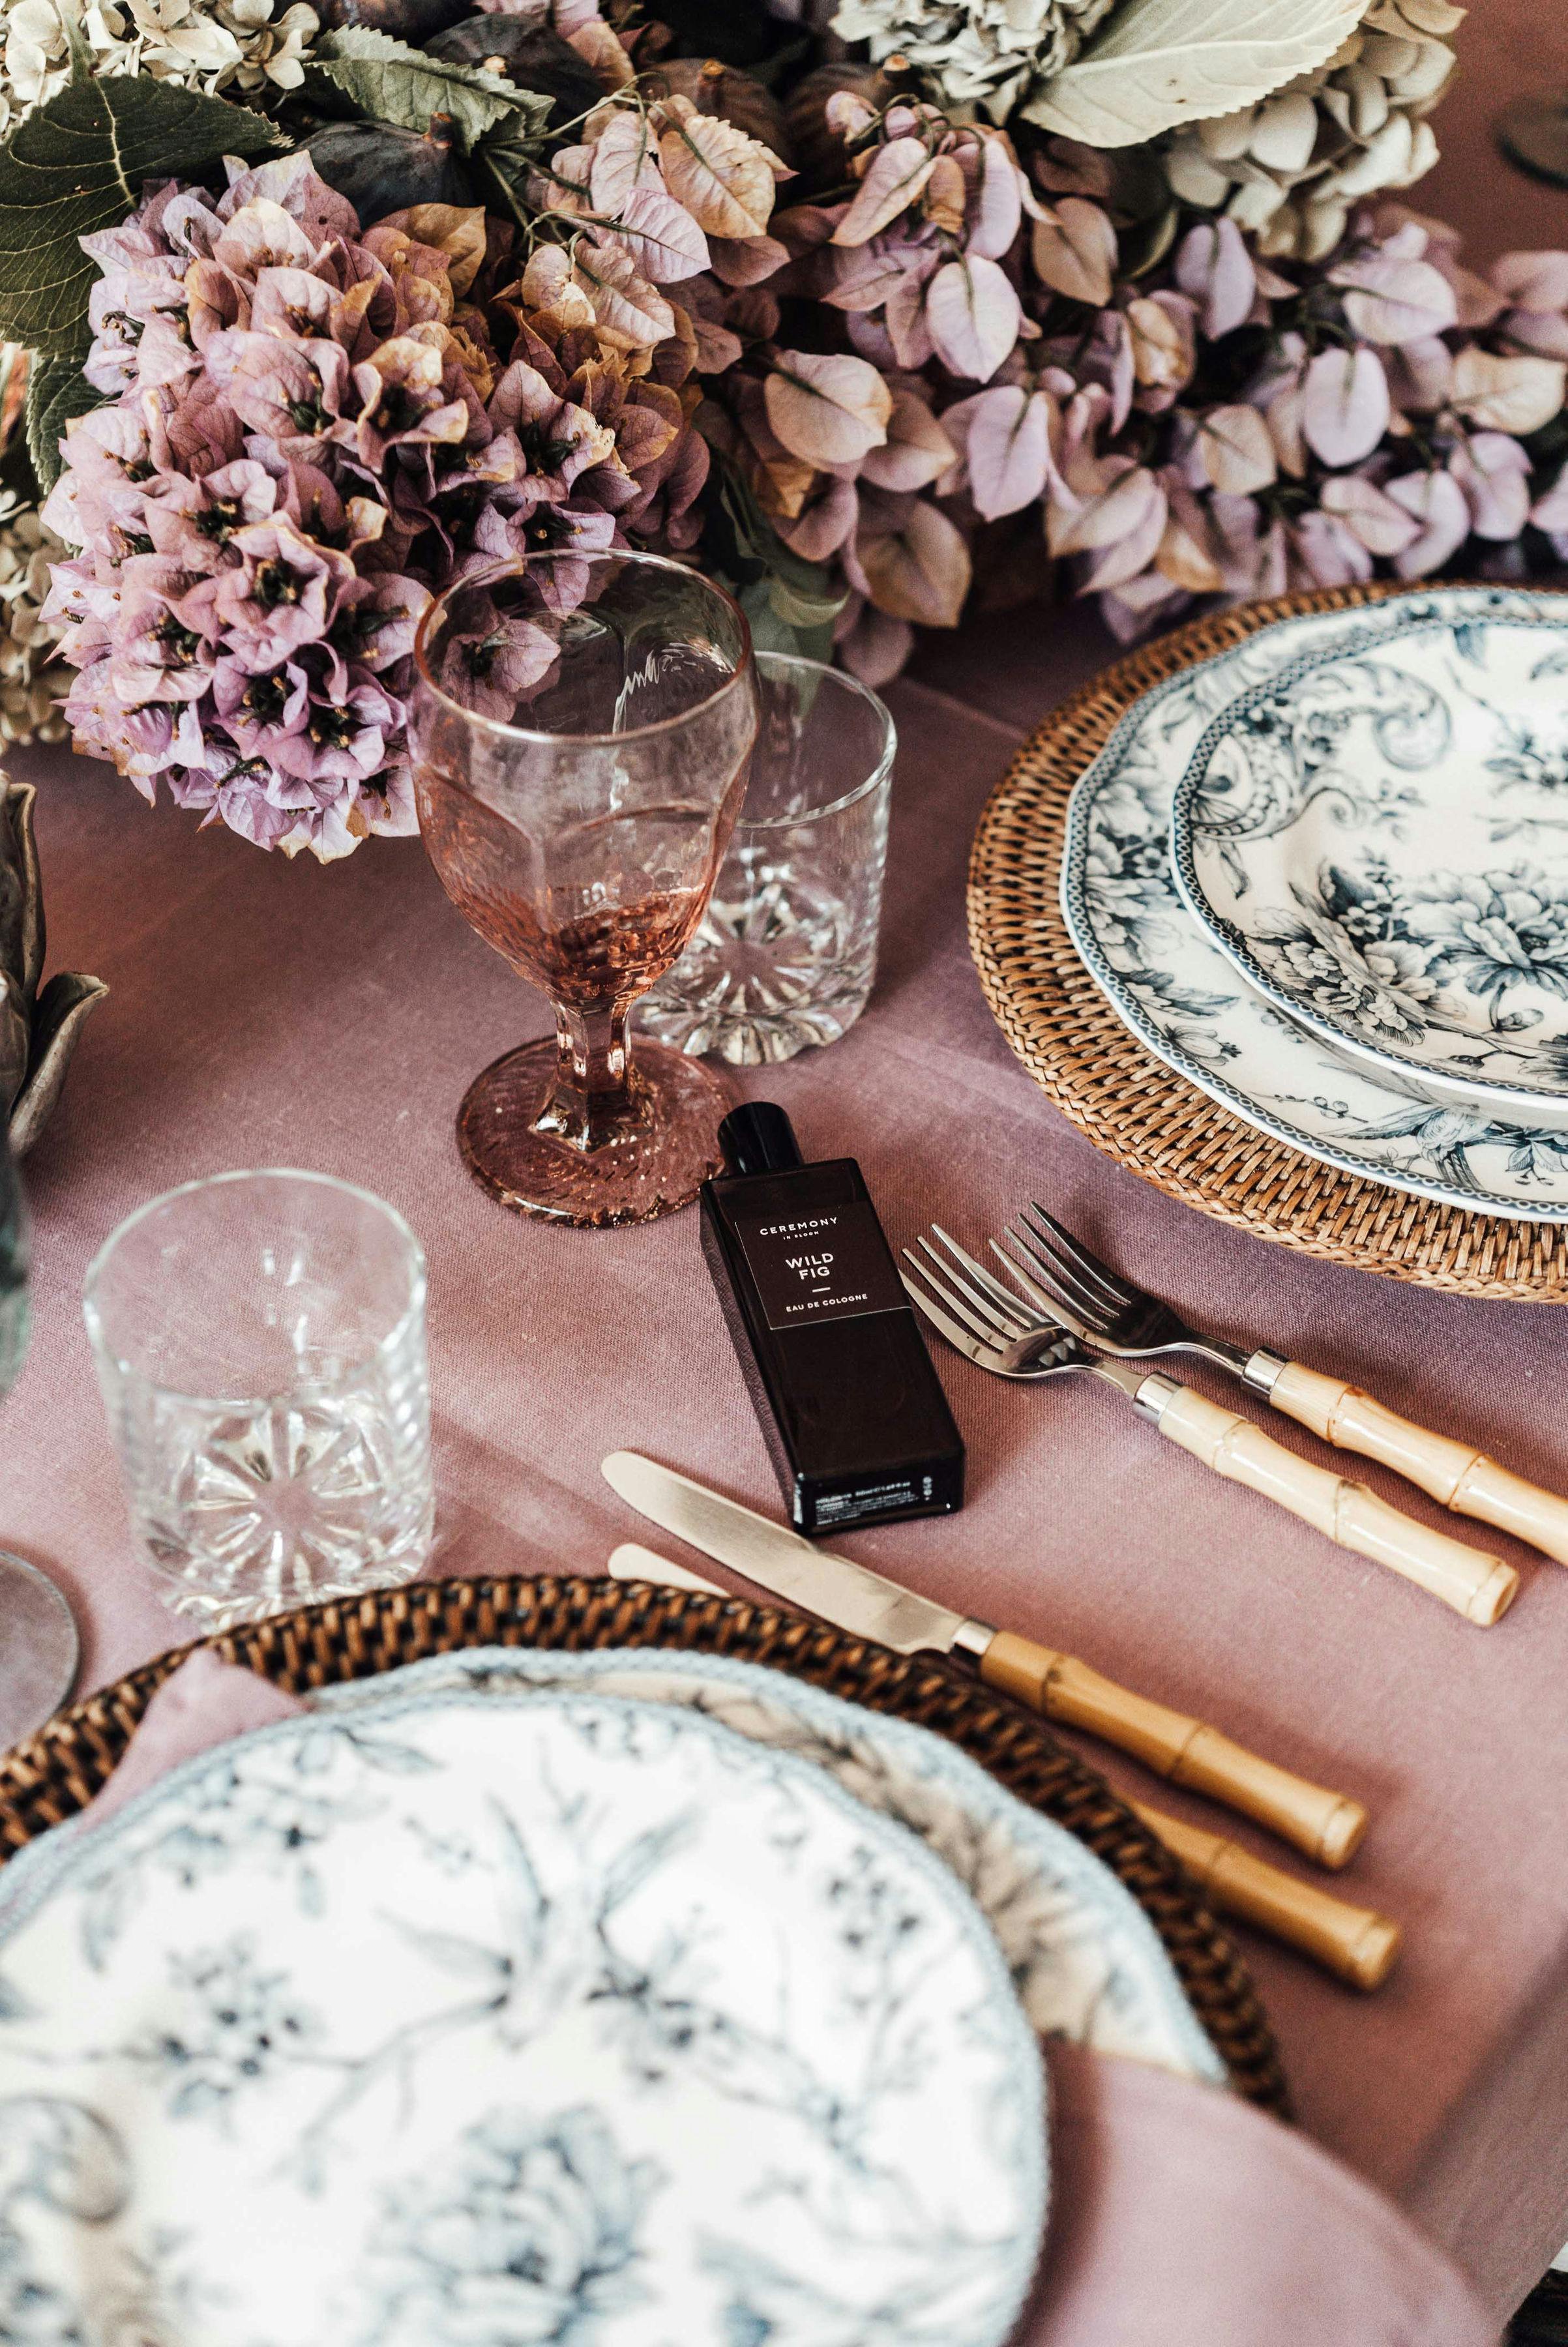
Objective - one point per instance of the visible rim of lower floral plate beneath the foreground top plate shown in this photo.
(1083, 1954)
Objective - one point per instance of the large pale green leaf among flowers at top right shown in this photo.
(1163, 62)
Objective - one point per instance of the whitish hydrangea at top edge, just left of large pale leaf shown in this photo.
(982, 53)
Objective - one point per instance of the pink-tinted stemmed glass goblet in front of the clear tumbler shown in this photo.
(581, 731)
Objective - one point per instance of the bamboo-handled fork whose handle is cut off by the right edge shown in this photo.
(1102, 1308)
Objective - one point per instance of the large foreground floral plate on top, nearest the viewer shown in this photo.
(454, 2024)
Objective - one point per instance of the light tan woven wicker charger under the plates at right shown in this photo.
(1137, 1109)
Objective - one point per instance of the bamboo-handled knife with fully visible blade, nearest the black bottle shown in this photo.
(1187, 1752)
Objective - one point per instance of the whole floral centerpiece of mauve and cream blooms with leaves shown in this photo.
(947, 302)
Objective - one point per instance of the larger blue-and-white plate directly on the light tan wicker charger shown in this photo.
(1182, 996)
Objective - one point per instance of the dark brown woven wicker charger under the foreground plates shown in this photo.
(58, 1771)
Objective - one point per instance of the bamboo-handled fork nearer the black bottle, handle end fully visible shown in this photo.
(994, 1330)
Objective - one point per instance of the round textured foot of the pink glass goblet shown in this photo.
(663, 1158)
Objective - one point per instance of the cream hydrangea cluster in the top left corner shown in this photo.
(243, 48)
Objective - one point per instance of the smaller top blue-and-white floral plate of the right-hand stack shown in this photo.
(1379, 839)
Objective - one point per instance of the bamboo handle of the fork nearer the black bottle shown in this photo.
(1475, 1583)
